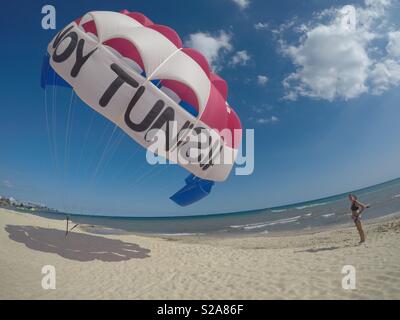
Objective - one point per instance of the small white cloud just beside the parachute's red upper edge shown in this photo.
(213, 47)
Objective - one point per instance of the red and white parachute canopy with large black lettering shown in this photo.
(138, 75)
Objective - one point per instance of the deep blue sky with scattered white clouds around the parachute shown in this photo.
(318, 81)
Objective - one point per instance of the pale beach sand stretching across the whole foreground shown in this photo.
(89, 266)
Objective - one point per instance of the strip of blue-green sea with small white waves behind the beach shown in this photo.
(384, 199)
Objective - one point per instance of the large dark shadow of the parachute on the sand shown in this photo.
(77, 246)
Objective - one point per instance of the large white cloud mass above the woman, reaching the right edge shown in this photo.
(332, 57)
